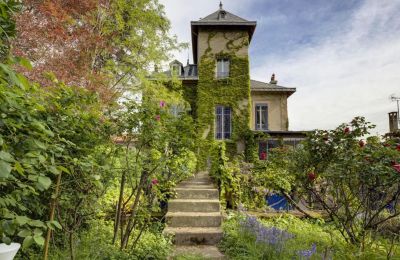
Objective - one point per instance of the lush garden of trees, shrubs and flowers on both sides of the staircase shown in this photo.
(86, 170)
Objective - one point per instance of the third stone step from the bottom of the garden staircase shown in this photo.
(193, 205)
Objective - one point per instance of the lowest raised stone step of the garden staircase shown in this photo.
(195, 235)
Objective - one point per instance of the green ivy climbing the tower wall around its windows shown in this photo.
(233, 92)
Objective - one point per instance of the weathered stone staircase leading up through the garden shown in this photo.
(194, 217)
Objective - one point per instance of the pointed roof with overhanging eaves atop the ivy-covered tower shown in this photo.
(221, 18)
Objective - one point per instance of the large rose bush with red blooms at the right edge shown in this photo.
(355, 181)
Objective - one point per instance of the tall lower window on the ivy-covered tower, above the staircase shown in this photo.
(222, 123)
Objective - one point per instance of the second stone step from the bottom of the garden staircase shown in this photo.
(194, 219)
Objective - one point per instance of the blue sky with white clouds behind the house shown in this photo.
(343, 56)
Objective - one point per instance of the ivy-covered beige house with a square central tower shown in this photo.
(227, 104)
